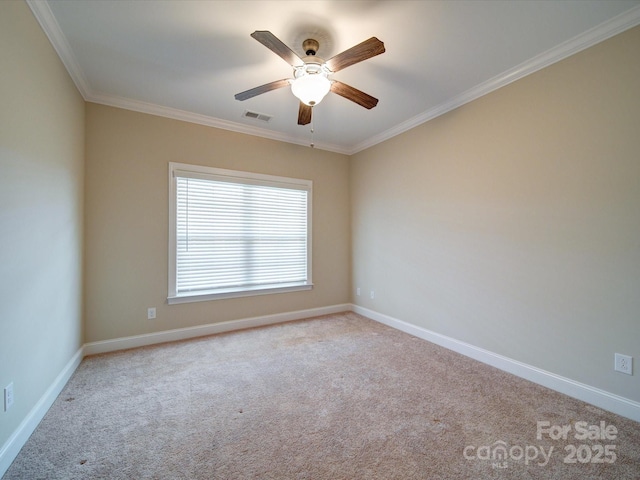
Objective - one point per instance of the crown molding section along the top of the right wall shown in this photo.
(599, 33)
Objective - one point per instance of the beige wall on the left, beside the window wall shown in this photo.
(41, 190)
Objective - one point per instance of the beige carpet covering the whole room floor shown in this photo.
(335, 397)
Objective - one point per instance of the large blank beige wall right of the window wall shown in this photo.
(513, 222)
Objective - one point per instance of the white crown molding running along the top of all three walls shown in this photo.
(599, 33)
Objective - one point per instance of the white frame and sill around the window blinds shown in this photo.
(233, 176)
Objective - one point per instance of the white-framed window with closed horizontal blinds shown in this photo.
(236, 233)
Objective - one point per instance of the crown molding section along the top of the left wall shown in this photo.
(52, 30)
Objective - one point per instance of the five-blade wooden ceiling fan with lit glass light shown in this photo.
(311, 82)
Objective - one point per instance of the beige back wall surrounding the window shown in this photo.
(127, 220)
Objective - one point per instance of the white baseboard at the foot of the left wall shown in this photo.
(16, 441)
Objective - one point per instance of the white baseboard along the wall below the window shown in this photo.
(105, 346)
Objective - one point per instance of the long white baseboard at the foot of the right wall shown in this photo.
(586, 393)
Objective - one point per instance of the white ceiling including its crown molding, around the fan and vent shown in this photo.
(186, 59)
